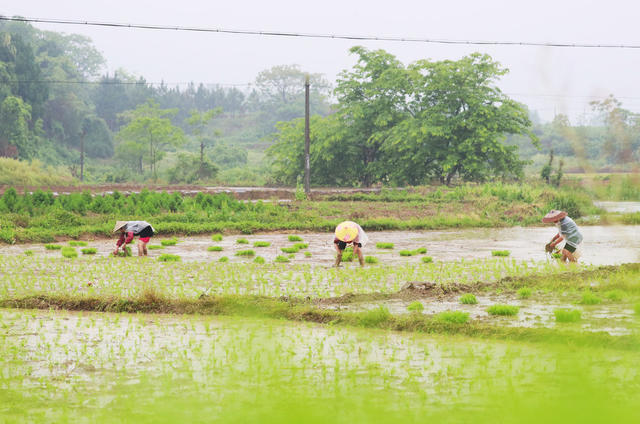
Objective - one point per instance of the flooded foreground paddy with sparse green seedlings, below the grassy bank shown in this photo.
(96, 367)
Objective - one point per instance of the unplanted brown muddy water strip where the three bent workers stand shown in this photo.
(603, 245)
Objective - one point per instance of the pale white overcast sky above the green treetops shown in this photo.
(549, 80)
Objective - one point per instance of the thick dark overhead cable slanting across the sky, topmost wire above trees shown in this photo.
(320, 35)
